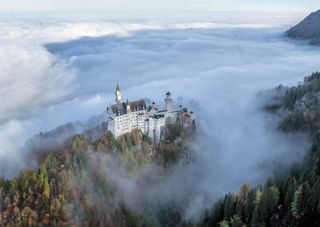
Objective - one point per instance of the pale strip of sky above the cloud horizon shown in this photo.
(159, 5)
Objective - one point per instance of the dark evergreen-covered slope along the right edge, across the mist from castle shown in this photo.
(294, 200)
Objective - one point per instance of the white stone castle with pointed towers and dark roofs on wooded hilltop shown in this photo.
(123, 117)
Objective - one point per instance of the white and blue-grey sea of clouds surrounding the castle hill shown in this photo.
(54, 70)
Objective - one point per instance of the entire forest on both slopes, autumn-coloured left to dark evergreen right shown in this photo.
(75, 183)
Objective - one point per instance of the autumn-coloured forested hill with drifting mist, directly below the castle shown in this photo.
(90, 181)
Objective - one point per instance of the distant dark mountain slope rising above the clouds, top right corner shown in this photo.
(308, 29)
